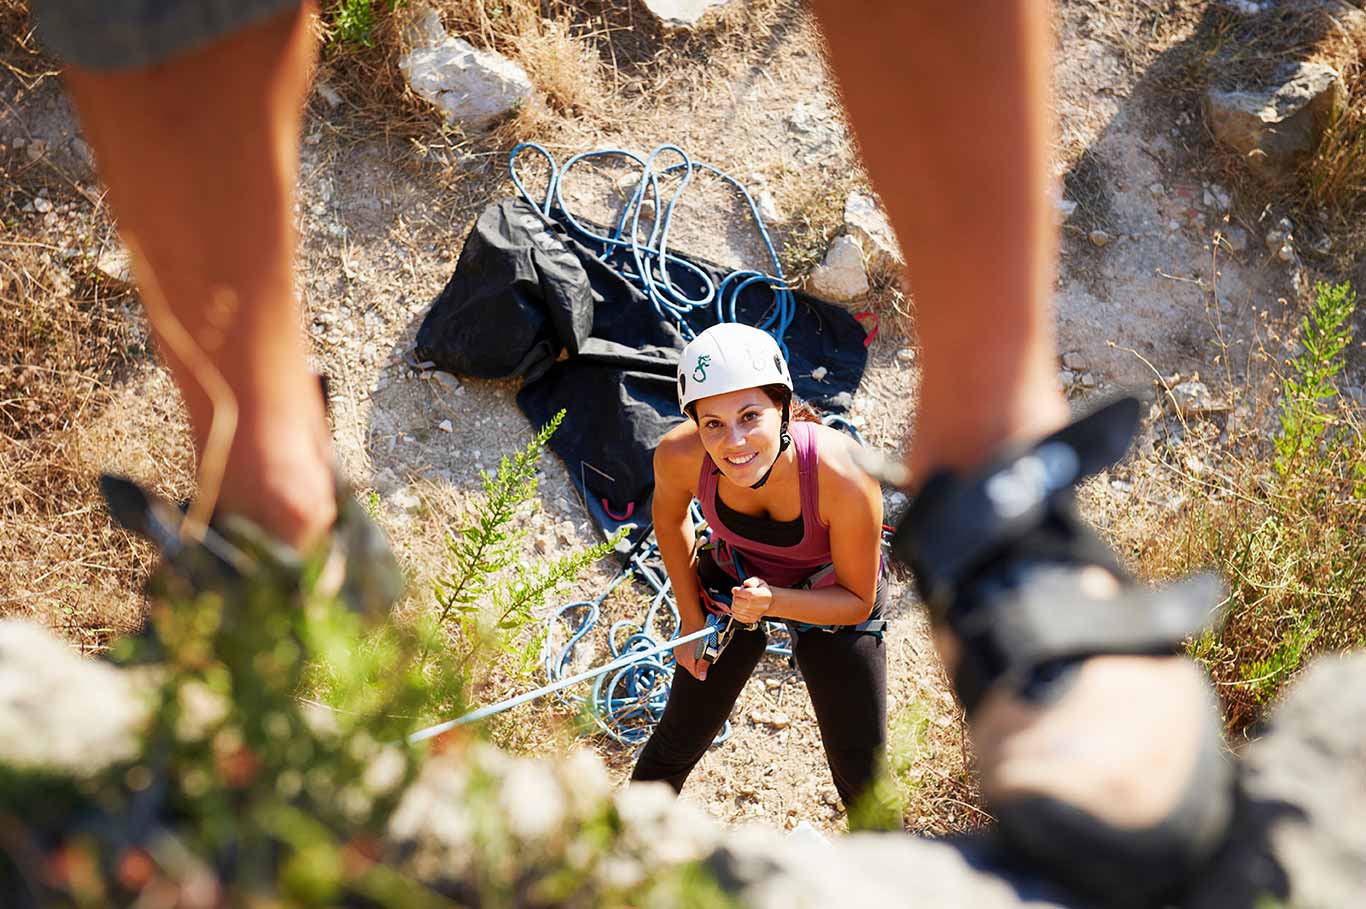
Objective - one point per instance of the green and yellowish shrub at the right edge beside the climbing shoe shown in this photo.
(1287, 528)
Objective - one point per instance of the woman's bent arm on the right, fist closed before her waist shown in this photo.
(854, 506)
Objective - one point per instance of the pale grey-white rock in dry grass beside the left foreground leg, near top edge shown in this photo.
(473, 88)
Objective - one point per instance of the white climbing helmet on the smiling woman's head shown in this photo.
(729, 357)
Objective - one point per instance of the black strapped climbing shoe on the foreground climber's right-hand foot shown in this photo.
(1098, 742)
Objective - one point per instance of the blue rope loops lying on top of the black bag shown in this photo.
(648, 259)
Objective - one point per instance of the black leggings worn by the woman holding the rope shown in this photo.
(846, 676)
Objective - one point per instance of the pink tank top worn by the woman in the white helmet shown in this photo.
(778, 565)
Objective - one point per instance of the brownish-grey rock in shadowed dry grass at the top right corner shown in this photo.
(1275, 126)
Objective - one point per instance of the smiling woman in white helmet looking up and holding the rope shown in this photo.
(796, 537)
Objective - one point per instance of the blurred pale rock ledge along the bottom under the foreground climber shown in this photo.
(484, 828)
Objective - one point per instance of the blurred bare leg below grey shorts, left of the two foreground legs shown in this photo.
(201, 159)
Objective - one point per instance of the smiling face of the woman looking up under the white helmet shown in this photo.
(741, 431)
